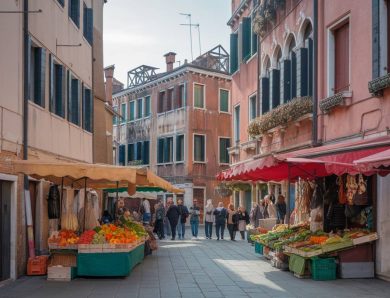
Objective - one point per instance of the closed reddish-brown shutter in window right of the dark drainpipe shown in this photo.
(341, 39)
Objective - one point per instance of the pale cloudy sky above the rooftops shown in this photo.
(140, 32)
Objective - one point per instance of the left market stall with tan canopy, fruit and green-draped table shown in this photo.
(82, 246)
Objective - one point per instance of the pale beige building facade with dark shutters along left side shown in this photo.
(60, 87)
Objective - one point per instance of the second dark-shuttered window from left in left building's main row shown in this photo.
(57, 88)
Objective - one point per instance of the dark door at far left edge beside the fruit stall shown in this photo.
(5, 232)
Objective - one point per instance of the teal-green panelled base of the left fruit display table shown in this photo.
(110, 263)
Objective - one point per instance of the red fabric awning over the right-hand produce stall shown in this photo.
(309, 163)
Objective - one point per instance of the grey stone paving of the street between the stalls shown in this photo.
(202, 268)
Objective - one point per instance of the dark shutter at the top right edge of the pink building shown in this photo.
(376, 39)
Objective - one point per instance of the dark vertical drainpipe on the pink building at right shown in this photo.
(315, 75)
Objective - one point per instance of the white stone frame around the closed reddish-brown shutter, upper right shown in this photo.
(331, 67)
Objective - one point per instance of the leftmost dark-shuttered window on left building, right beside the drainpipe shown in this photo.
(37, 75)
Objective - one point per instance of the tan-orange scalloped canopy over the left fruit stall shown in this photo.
(97, 176)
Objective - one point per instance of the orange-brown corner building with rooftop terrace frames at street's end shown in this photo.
(178, 123)
